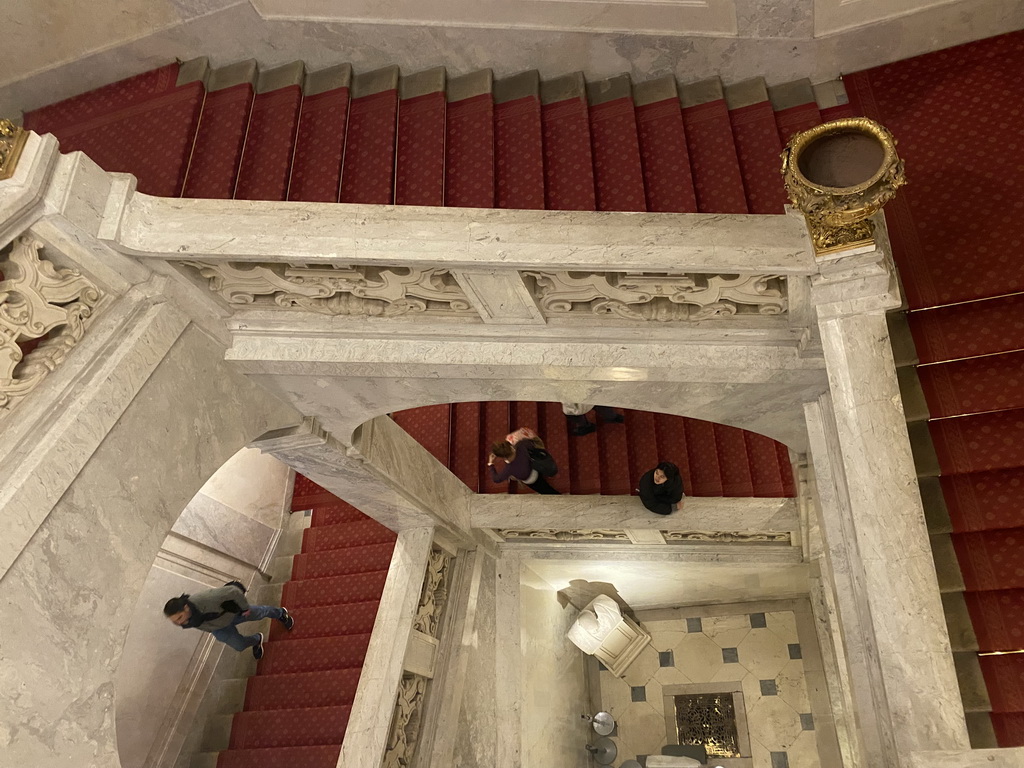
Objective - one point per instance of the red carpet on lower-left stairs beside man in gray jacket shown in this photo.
(297, 705)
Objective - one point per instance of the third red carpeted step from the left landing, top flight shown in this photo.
(320, 147)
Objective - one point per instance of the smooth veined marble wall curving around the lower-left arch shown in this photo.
(74, 588)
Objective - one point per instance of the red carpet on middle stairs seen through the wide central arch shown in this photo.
(714, 459)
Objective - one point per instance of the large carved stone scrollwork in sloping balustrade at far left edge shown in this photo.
(38, 301)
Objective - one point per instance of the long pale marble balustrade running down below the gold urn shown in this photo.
(907, 692)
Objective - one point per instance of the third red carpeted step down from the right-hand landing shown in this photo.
(976, 444)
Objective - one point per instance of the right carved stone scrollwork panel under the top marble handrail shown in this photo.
(642, 296)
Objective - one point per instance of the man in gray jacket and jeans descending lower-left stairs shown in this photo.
(219, 611)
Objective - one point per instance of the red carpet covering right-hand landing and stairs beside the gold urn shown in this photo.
(956, 239)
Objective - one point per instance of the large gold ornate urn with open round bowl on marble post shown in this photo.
(840, 175)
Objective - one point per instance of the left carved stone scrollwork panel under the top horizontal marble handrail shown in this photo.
(369, 291)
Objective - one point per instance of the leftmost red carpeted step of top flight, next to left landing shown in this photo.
(215, 166)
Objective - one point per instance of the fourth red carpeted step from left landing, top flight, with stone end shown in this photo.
(368, 176)
